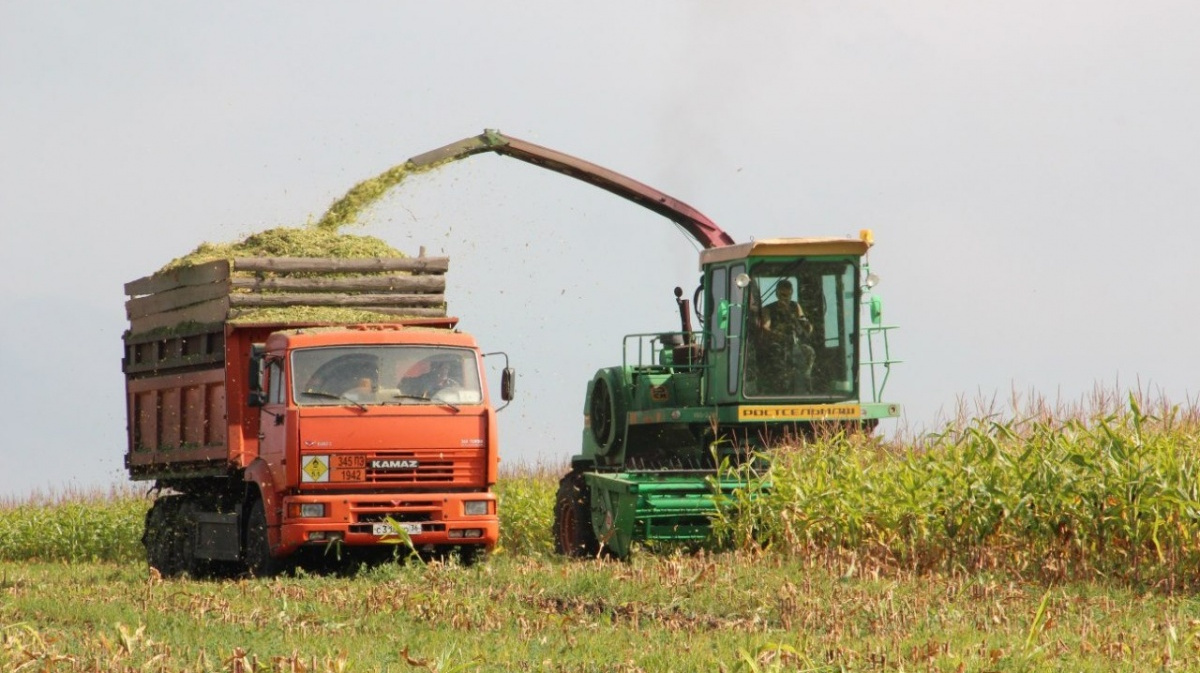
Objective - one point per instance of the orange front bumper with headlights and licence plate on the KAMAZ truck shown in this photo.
(430, 520)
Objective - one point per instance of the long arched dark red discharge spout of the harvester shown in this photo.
(698, 225)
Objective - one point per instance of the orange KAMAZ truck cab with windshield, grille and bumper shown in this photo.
(369, 429)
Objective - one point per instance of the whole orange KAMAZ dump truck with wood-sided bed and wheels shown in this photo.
(269, 429)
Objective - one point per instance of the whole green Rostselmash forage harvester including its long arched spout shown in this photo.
(790, 340)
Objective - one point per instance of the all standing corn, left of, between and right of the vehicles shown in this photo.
(1046, 496)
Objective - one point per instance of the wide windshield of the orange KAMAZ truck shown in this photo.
(386, 375)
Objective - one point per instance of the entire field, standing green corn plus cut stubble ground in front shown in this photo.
(1046, 542)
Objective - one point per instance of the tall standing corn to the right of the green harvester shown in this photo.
(1113, 497)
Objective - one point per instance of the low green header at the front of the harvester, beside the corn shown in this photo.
(631, 508)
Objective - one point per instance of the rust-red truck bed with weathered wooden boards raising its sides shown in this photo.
(188, 347)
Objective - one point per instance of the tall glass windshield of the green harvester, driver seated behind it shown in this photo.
(802, 316)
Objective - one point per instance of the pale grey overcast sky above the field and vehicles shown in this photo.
(1030, 170)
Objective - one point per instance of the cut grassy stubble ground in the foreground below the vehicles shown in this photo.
(658, 614)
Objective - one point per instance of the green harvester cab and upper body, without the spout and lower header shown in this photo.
(778, 353)
